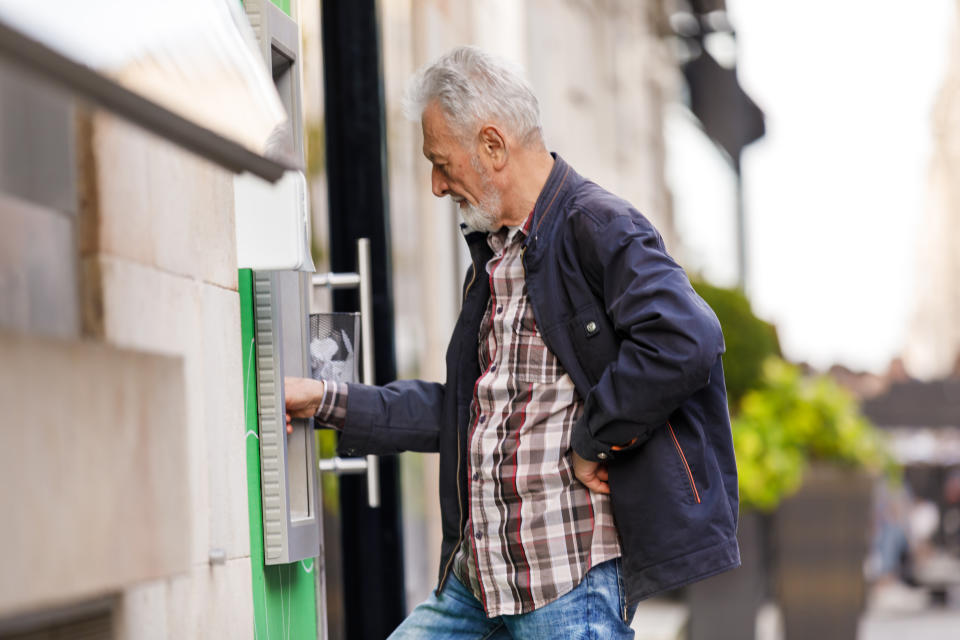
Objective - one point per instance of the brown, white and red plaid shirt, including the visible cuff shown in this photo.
(533, 530)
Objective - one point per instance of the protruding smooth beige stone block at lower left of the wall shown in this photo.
(94, 496)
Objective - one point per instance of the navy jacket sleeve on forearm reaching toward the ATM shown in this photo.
(402, 416)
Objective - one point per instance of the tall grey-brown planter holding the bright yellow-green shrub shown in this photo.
(820, 542)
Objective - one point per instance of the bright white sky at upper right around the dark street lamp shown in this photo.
(835, 191)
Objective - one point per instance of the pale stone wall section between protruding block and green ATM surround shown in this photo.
(158, 265)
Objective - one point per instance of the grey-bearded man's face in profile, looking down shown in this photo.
(458, 173)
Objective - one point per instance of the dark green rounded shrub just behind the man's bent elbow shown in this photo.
(749, 340)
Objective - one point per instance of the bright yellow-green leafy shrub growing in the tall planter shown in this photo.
(790, 420)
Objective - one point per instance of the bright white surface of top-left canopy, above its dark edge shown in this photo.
(197, 59)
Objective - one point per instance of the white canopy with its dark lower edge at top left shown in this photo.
(187, 70)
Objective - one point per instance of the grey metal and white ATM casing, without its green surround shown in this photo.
(292, 527)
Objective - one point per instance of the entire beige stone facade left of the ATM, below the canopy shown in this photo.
(122, 448)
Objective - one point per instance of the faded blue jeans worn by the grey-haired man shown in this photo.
(595, 609)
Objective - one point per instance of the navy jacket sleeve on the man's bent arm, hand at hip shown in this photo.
(668, 337)
